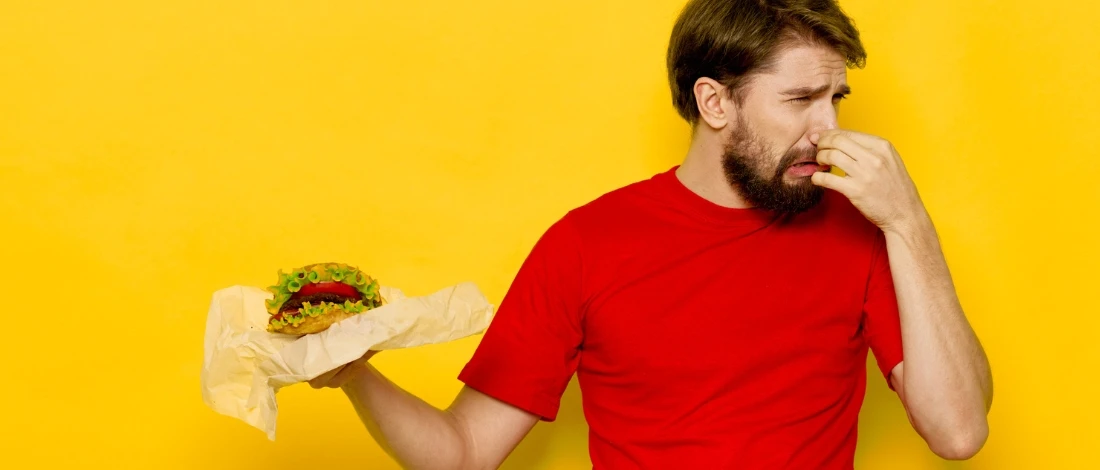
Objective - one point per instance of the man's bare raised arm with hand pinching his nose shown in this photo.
(945, 380)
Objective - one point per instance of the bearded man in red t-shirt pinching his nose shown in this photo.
(720, 314)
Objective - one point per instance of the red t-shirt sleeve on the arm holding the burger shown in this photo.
(532, 348)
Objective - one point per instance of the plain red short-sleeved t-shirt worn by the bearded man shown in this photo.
(701, 336)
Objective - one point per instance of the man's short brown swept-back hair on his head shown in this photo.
(731, 40)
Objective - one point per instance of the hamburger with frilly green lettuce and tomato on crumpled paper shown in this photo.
(313, 298)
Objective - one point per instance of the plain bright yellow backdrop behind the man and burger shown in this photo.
(155, 152)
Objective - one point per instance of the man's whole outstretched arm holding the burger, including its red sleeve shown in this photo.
(525, 360)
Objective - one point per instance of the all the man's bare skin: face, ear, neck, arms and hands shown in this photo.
(944, 382)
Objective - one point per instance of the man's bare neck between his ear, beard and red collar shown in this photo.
(702, 173)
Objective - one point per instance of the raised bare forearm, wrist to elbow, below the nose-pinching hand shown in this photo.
(947, 379)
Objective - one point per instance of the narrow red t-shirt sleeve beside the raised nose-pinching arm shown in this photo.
(882, 321)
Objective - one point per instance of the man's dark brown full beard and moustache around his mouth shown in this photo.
(746, 165)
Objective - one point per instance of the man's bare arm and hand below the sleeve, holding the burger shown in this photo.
(477, 432)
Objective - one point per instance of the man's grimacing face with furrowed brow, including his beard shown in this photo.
(769, 157)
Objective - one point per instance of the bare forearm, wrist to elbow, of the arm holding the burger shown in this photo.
(414, 433)
